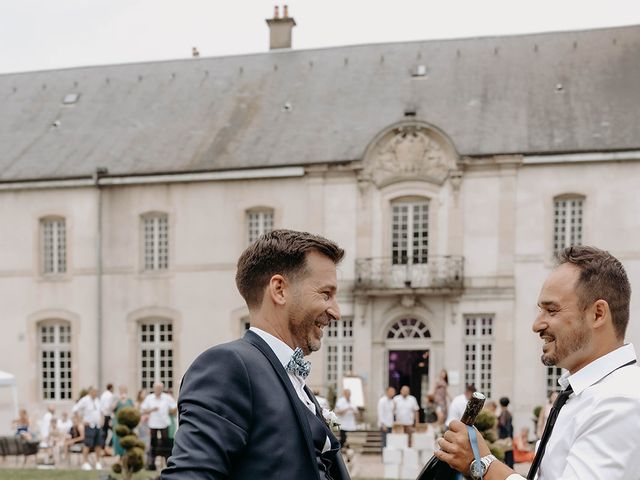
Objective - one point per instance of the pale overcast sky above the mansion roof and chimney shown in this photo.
(51, 34)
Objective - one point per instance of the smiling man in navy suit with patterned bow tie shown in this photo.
(245, 412)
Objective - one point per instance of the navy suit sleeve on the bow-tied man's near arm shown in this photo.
(215, 411)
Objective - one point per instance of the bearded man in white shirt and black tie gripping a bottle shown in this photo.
(584, 312)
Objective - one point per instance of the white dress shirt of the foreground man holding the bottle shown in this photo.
(597, 434)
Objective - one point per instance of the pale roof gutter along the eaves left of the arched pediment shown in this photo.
(116, 180)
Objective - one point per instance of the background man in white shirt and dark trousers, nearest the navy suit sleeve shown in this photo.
(158, 405)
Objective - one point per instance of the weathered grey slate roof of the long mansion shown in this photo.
(542, 93)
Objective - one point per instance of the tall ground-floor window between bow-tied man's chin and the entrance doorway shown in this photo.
(339, 343)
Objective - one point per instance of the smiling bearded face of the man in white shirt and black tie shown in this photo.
(561, 323)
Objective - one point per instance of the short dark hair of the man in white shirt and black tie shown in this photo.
(602, 277)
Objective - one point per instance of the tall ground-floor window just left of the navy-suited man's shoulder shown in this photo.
(155, 340)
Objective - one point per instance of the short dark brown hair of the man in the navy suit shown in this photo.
(281, 252)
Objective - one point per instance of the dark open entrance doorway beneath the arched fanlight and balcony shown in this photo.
(410, 367)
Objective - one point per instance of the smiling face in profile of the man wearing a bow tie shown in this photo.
(313, 302)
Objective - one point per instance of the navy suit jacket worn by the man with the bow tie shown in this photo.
(241, 419)
